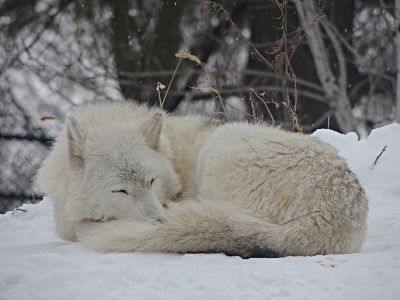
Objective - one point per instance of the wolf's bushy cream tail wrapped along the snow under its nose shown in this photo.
(207, 227)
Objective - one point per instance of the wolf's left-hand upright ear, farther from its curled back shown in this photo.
(76, 141)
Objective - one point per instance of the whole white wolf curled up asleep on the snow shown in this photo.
(240, 189)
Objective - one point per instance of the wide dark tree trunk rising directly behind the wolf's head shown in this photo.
(151, 47)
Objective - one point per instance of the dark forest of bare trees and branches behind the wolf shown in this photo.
(303, 64)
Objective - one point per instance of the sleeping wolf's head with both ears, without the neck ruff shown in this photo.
(119, 171)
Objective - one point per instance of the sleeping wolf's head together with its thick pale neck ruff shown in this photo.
(109, 163)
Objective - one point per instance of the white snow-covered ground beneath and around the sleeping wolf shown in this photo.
(36, 264)
